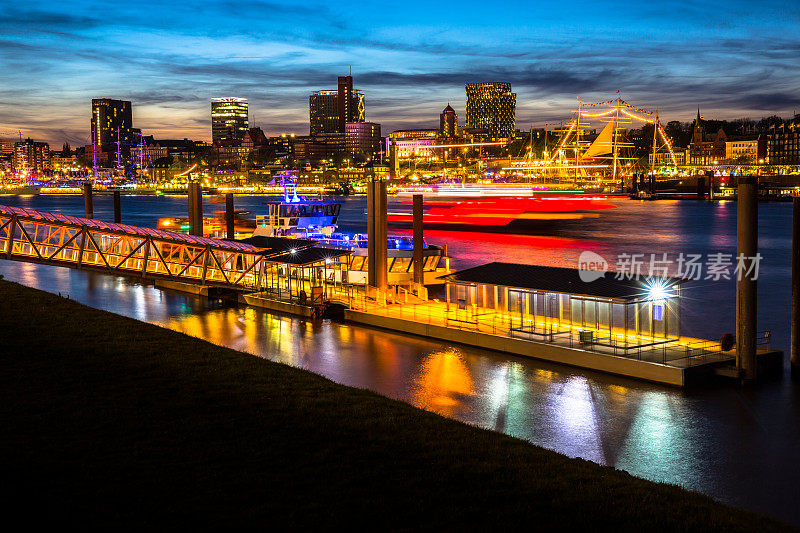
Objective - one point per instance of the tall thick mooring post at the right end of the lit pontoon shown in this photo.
(746, 251)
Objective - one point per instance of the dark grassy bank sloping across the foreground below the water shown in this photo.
(110, 422)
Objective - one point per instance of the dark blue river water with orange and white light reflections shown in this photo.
(737, 445)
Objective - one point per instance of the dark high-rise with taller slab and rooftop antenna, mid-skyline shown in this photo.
(329, 111)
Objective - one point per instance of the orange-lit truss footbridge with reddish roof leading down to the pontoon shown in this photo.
(57, 239)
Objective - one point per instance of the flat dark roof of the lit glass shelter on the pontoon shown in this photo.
(555, 279)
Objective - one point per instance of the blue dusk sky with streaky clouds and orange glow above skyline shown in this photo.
(733, 59)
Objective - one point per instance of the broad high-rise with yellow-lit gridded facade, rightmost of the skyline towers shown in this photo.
(491, 107)
